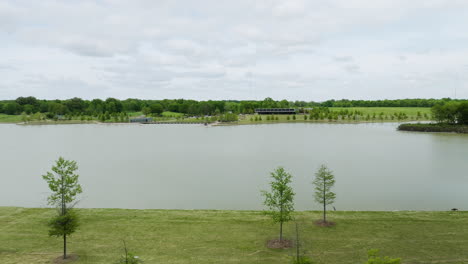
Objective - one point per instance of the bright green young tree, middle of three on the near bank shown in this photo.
(280, 199)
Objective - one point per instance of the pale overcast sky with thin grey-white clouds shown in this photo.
(290, 49)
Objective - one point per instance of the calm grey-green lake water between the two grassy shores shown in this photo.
(198, 167)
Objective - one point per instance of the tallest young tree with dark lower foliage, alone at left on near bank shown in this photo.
(63, 182)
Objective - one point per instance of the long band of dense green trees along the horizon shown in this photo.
(77, 106)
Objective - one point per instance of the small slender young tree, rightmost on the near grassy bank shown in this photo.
(323, 182)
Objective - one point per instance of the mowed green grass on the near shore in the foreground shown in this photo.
(176, 236)
